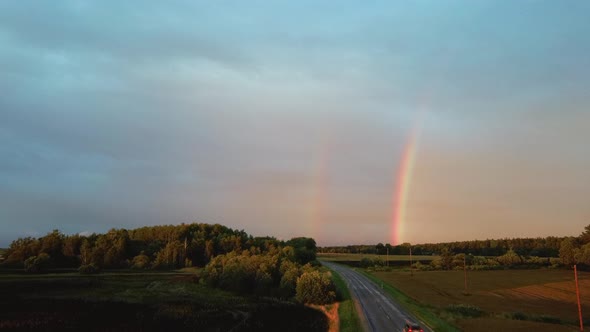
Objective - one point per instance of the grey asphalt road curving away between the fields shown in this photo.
(380, 311)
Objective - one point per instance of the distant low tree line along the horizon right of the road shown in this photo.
(475, 255)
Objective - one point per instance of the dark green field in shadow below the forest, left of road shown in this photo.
(141, 301)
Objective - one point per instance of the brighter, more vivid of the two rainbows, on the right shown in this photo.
(402, 185)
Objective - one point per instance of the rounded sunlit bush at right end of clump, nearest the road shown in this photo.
(315, 288)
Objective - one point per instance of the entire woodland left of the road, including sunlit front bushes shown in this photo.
(231, 259)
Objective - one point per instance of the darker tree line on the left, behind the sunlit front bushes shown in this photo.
(153, 247)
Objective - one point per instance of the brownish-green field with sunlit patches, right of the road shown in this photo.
(541, 300)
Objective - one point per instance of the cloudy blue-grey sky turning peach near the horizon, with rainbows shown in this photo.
(293, 118)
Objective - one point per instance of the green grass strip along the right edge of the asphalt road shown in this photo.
(424, 313)
